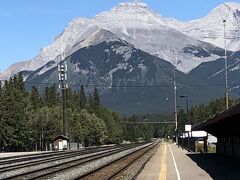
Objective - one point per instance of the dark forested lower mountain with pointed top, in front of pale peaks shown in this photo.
(129, 79)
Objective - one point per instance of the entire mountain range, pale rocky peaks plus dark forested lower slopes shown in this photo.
(129, 54)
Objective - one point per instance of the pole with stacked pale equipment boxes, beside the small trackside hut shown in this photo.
(62, 69)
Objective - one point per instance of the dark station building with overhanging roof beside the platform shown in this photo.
(226, 127)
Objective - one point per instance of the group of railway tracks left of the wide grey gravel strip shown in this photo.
(17, 172)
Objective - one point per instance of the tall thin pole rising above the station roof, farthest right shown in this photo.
(226, 65)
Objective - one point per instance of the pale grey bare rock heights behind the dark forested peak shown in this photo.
(137, 24)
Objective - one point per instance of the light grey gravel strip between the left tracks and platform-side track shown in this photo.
(82, 169)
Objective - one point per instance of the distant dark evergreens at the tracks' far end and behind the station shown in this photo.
(195, 115)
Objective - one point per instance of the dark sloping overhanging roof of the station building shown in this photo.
(226, 123)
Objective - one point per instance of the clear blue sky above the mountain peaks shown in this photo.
(28, 25)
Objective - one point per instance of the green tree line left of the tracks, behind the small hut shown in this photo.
(30, 120)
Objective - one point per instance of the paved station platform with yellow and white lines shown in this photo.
(172, 163)
